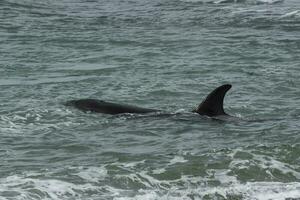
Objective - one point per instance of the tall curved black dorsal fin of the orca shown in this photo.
(213, 104)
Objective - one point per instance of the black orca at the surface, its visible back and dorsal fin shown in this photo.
(211, 106)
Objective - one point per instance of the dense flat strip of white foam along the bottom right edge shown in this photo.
(249, 191)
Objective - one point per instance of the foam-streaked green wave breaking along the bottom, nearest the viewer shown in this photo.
(275, 178)
